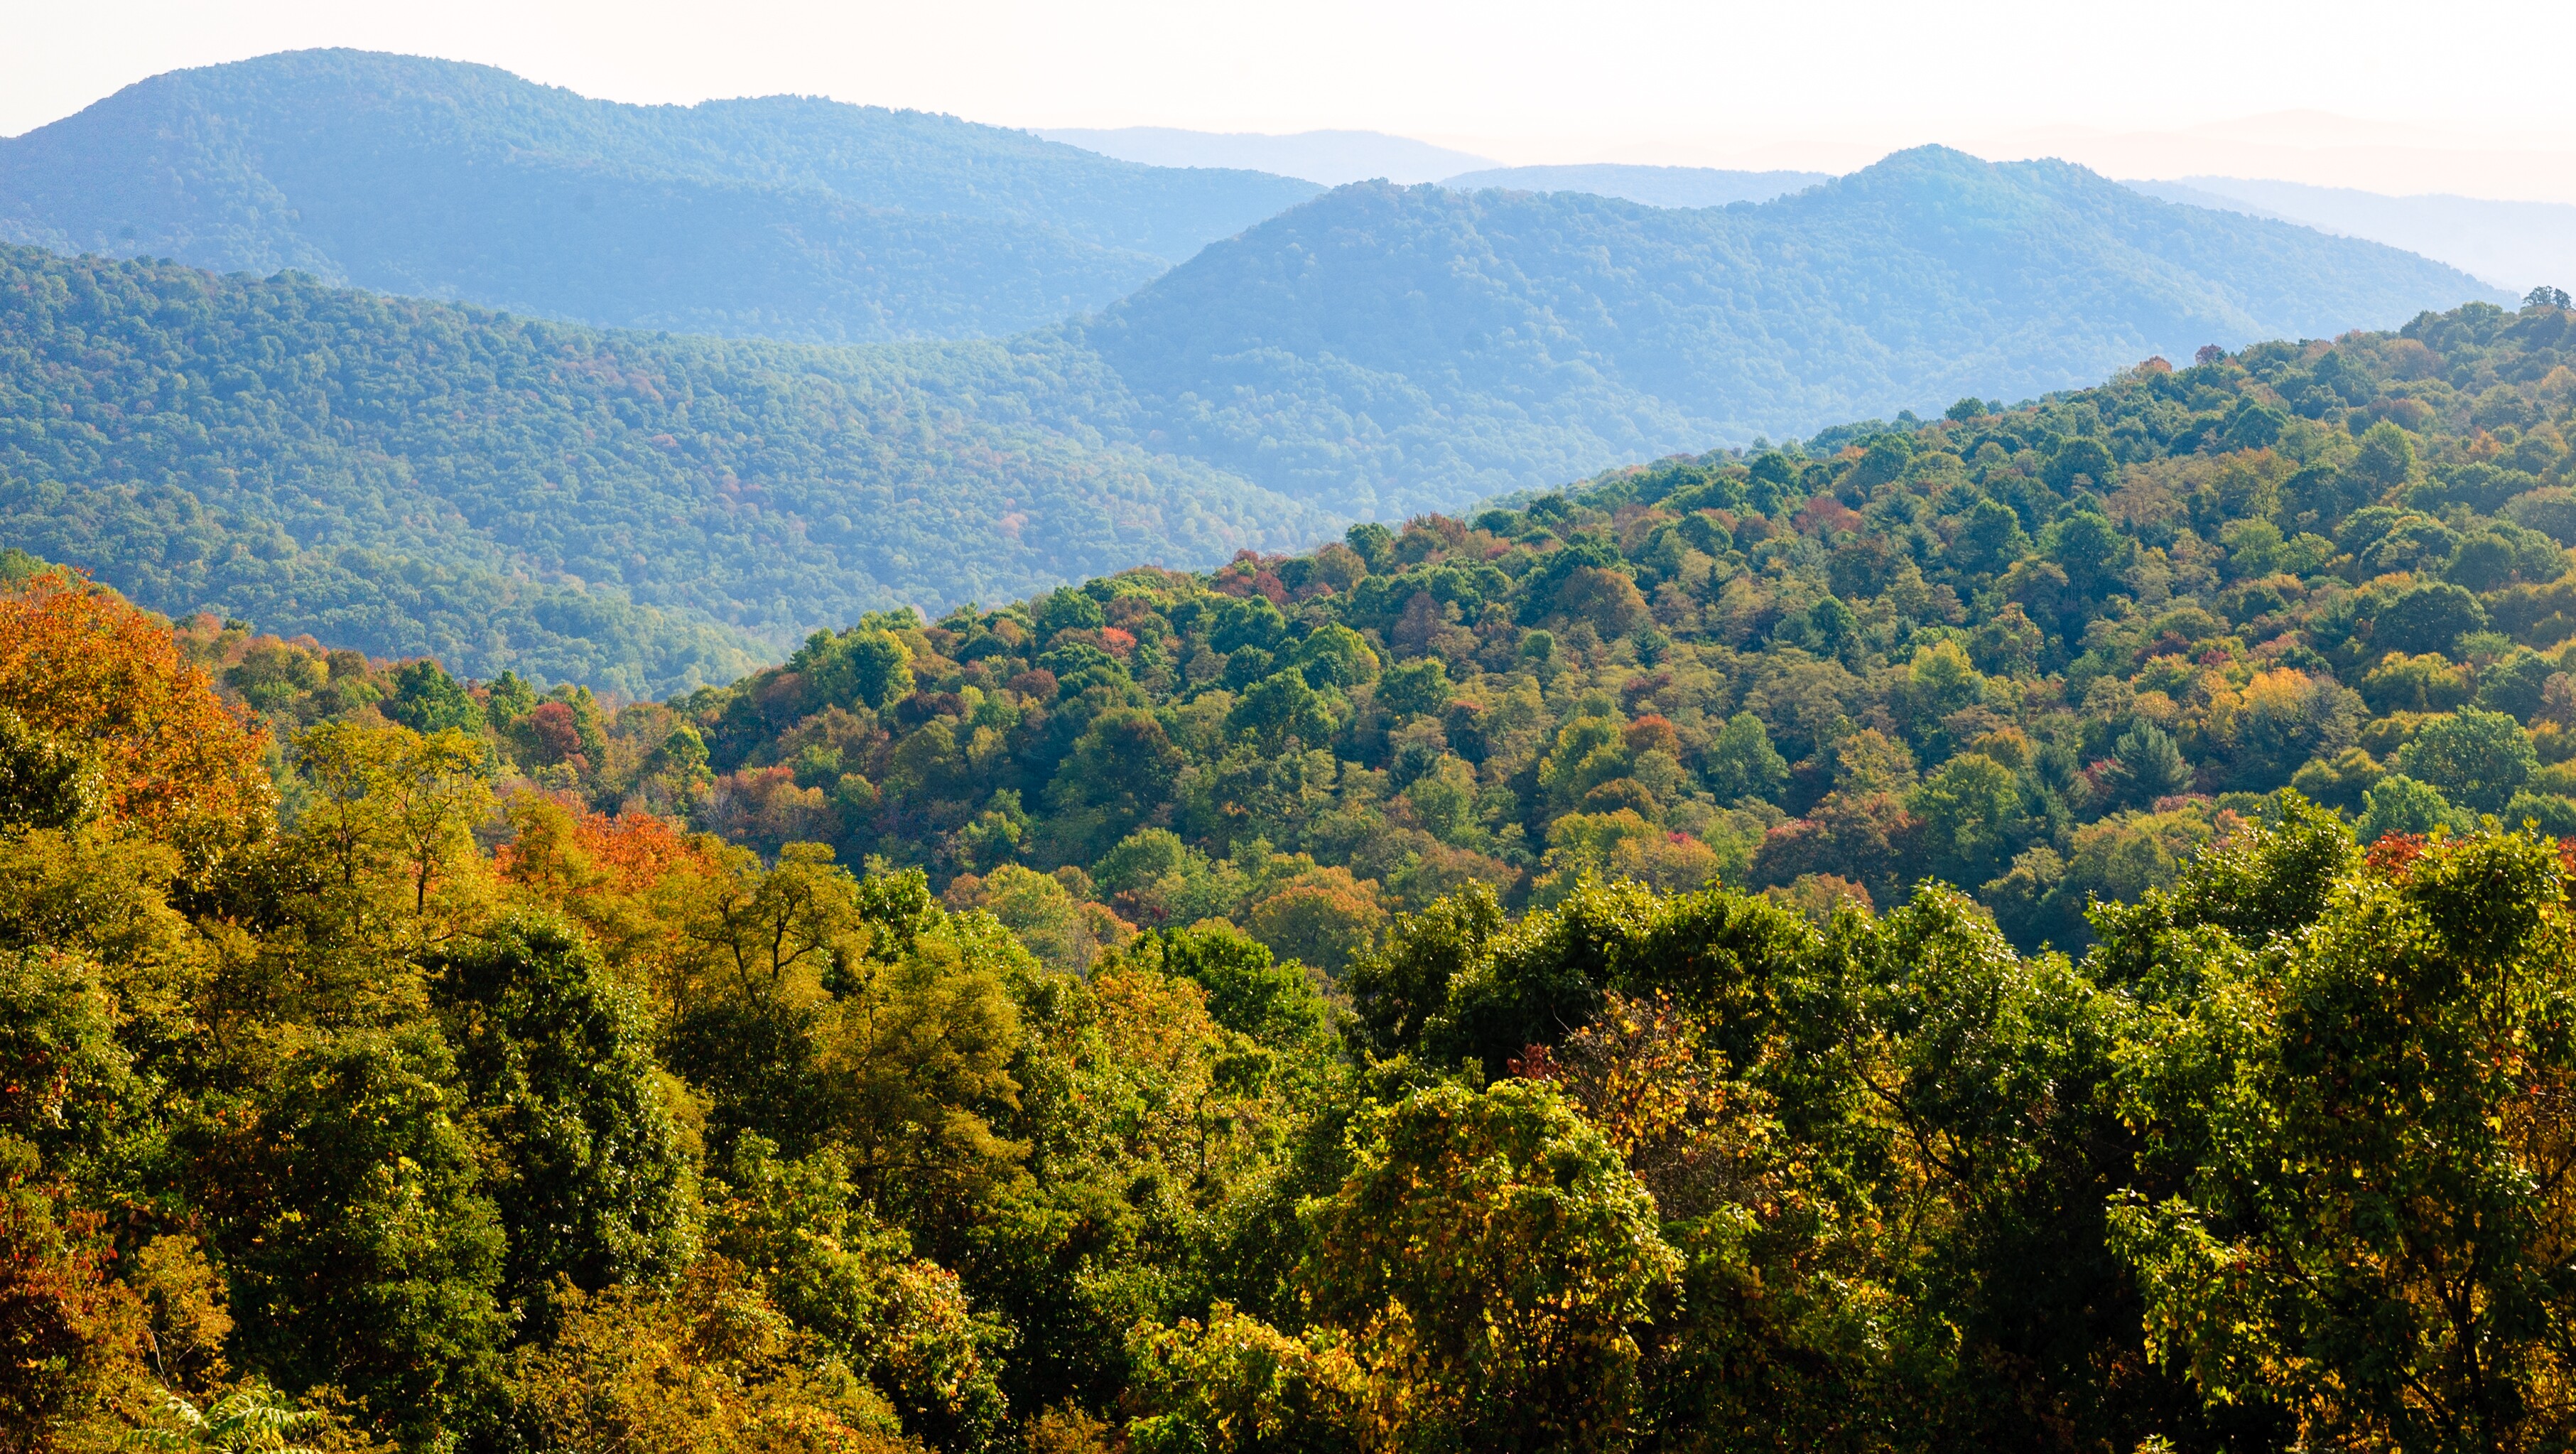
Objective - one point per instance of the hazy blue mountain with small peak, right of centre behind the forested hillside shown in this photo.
(1382, 349)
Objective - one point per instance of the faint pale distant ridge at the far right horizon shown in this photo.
(2510, 244)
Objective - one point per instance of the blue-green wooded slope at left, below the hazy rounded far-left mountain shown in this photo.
(620, 509)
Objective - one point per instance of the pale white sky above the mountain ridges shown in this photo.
(2400, 97)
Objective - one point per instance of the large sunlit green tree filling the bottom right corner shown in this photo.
(2371, 1236)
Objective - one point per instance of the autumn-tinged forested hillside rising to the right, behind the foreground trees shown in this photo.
(2034, 654)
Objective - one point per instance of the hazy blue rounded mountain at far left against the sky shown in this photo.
(784, 218)
